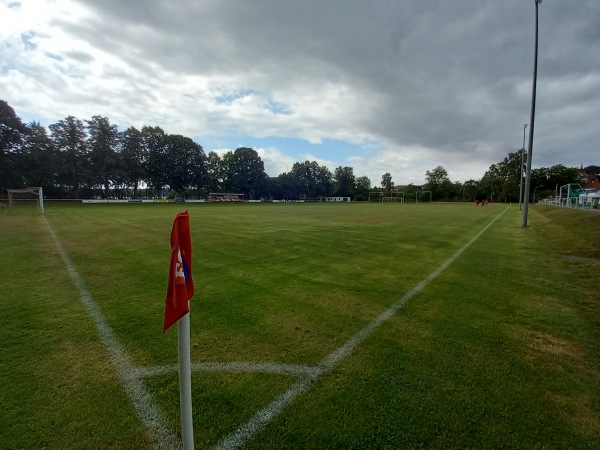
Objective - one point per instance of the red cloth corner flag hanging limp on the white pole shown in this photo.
(181, 286)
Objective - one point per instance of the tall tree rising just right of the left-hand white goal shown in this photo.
(70, 140)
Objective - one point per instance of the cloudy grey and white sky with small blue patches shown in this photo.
(397, 86)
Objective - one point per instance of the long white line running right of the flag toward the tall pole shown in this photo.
(273, 409)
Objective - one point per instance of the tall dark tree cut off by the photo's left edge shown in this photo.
(12, 131)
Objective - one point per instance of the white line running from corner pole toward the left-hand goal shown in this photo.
(147, 411)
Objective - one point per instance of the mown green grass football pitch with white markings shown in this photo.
(500, 349)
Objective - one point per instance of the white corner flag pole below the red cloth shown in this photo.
(185, 382)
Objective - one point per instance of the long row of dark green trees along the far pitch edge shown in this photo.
(75, 158)
